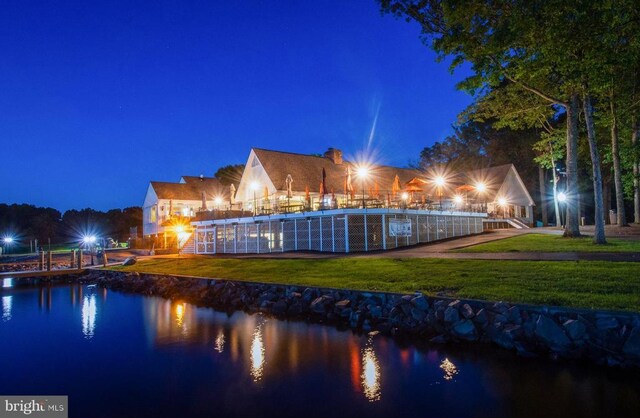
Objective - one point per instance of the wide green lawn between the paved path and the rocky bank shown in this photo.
(592, 284)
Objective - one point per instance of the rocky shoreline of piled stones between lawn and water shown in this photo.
(606, 338)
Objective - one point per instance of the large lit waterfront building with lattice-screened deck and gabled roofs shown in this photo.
(290, 202)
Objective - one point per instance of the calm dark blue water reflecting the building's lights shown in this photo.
(129, 355)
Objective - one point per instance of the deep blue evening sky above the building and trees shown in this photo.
(99, 98)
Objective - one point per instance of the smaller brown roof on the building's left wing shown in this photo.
(191, 189)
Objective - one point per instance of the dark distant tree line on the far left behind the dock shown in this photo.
(25, 222)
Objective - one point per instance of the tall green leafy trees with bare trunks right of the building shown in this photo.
(568, 69)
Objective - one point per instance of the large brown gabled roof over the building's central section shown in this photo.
(306, 171)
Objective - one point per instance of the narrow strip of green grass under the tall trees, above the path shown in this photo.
(552, 243)
